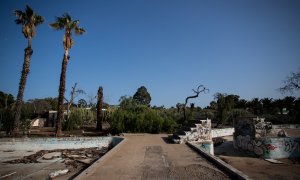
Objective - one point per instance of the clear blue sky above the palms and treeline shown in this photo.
(169, 46)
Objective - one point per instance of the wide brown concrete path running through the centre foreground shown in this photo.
(147, 156)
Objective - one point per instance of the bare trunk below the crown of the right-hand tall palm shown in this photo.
(62, 87)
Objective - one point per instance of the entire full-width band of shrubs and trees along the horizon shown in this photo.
(132, 116)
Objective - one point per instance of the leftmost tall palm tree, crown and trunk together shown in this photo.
(29, 20)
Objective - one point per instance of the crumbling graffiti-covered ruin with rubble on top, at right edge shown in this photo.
(258, 137)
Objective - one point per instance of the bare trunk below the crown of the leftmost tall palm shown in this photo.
(14, 128)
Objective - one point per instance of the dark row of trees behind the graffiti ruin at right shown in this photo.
(227, 107)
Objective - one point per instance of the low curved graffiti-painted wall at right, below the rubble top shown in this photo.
(269, 148)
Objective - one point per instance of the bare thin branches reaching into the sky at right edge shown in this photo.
(291, 83)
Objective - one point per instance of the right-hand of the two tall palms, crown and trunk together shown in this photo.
(65, 23)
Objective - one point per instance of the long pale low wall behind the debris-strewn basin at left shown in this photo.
(36, 144)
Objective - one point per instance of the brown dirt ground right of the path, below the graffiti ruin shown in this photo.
(257, 168)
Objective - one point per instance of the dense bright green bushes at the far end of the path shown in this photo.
(132, 116)
